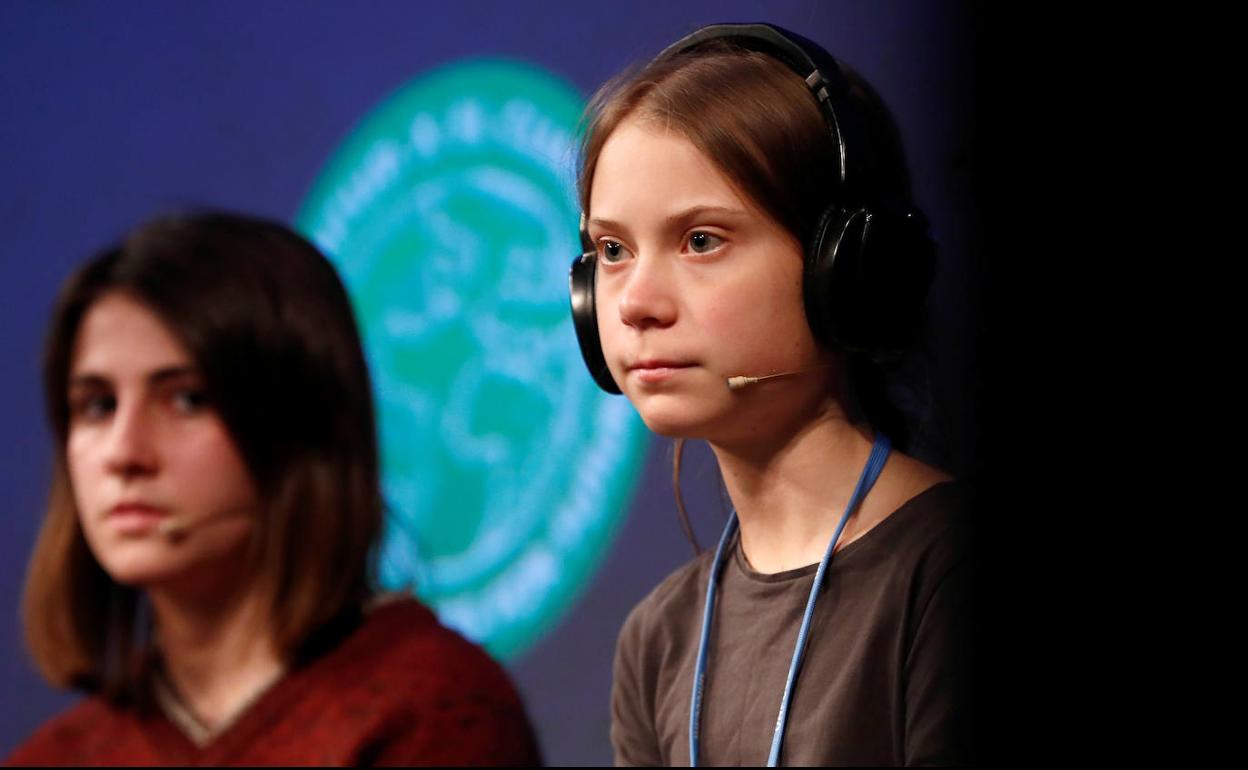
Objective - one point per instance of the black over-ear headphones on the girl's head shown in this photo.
(869, 264)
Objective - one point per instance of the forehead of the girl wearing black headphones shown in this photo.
(645, 169)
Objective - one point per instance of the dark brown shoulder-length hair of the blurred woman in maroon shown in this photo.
(270, 326)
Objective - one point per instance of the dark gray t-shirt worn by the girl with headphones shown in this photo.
(885, 678)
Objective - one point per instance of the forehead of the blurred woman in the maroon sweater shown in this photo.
(119, 335)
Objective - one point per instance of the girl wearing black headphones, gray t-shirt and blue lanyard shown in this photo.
(751, 255)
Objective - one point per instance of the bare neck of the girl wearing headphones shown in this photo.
(791, 489)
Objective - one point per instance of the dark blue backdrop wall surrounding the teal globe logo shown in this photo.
(113, 113)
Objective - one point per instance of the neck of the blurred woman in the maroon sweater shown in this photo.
(218, 653)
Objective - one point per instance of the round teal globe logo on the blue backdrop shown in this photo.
(451, 215)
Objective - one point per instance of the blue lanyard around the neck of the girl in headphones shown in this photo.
(870, 474)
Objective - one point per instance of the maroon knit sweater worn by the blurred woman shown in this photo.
(400, 691)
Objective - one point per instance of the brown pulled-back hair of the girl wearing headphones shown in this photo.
(757, 120)
